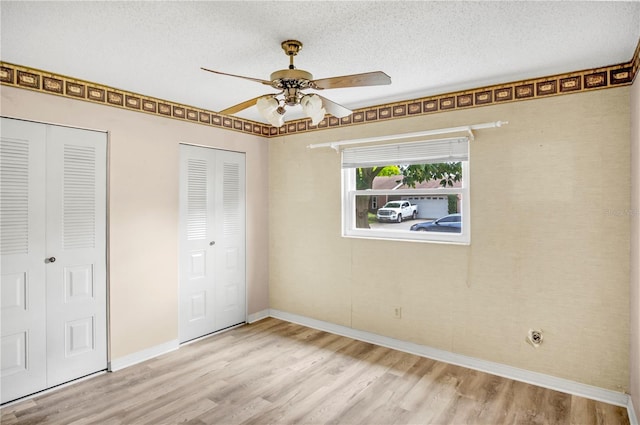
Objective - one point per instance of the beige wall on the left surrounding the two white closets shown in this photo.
(143, 212)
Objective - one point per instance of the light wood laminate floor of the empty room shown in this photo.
(275, 372)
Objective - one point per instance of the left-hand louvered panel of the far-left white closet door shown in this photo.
(22, 252)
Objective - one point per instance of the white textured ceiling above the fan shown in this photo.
(156, 48)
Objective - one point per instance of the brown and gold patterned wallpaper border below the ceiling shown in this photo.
(574, 82)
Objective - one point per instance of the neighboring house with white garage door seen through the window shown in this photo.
(429, 206)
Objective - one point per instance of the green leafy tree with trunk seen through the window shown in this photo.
(447, 172)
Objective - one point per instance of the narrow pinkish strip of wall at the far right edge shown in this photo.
(634, 356)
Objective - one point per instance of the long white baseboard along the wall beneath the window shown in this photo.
(535, 378)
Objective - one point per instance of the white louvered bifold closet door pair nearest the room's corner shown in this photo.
(212, 241)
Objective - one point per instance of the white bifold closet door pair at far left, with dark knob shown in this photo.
(53, 255)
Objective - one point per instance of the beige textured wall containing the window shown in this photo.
(549, 248)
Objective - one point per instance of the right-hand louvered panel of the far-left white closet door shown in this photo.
(76, 237)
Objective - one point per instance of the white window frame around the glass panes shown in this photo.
(350, 230)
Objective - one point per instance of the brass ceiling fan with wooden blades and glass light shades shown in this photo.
(292, 81)
